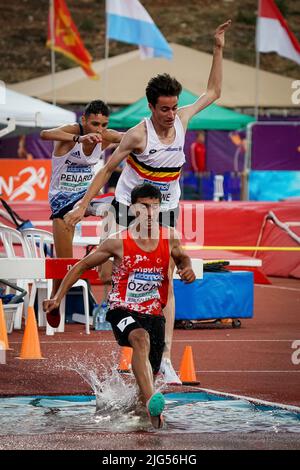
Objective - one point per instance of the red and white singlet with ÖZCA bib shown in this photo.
(140, 283)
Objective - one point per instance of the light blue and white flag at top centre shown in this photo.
(128, 21)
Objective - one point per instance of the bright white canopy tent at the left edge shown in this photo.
(17, 109)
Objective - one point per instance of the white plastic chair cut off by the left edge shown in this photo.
(12, 238)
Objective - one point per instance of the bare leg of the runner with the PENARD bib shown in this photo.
(63, 243)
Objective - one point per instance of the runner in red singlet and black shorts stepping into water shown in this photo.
(139, 293)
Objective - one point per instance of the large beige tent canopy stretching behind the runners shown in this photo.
(127, 77)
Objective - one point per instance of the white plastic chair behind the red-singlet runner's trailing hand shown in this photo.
(36, 240)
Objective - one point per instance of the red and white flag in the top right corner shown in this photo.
(273, 33)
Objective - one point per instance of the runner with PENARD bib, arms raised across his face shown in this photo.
(77, 150)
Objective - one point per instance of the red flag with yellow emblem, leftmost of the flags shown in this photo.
(67, 39)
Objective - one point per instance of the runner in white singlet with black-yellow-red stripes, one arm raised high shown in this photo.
(155, 153)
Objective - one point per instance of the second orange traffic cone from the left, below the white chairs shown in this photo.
(30, 348)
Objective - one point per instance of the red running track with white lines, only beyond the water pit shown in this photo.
(255, 360)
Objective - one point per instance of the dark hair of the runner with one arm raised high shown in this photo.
(162, 85)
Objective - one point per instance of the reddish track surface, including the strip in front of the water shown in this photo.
(254, 361)
